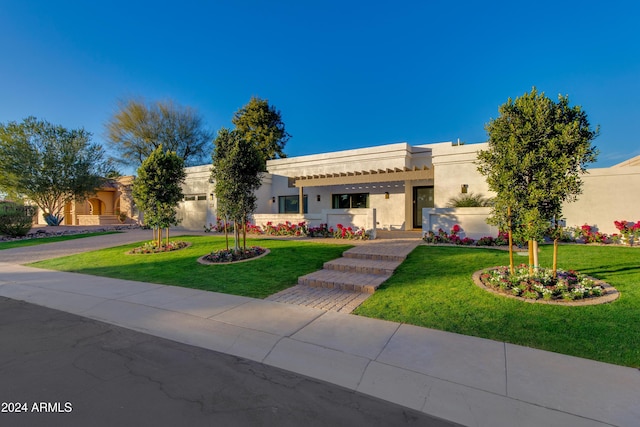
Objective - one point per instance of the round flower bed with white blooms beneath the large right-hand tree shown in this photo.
(567, 286)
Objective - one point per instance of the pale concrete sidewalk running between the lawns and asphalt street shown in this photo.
(472, 381)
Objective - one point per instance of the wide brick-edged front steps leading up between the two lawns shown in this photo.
(361, 268)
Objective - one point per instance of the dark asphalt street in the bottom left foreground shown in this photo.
(59, 369)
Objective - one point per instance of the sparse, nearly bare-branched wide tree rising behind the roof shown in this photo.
(138, 128)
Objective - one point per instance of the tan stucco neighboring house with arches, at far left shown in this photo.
(102, 208)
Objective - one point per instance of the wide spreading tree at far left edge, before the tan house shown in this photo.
(49, 164)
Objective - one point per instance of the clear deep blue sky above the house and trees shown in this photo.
(343, 74)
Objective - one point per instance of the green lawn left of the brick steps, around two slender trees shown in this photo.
(258, 278)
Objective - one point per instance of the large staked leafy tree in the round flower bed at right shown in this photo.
(538, 150)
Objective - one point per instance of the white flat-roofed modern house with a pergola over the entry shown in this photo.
(399, 187)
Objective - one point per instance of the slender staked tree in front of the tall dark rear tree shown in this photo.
(237, 167)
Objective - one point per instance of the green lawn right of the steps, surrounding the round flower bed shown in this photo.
(433, 288)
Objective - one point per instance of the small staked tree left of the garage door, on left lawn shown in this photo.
(158, 188)
